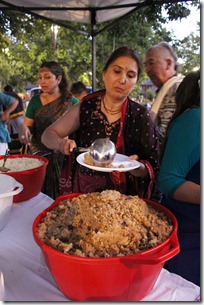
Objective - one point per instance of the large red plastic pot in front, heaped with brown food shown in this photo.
(125, 278)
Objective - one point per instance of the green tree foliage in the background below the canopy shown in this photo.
(26, 41)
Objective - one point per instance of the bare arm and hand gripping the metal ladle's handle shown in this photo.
(54, 136)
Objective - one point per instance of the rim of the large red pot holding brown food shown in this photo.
(43, 246)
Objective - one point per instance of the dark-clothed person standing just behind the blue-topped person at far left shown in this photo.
(16, 119)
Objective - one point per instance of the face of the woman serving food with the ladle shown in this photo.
(121, 77)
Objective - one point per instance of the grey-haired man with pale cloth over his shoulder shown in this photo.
(161, 67)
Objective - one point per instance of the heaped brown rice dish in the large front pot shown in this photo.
(103, 224)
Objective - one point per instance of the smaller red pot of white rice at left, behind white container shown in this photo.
(31, 179)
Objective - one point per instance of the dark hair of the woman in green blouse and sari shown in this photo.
(57, 70)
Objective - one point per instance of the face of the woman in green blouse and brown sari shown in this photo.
(48, 81)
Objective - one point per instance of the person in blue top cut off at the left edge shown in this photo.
(7, 105)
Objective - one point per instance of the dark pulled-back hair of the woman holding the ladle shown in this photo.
(125, 51)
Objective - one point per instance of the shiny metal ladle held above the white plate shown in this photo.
(102, 151)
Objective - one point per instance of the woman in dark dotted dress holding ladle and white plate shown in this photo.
(111, 114)
